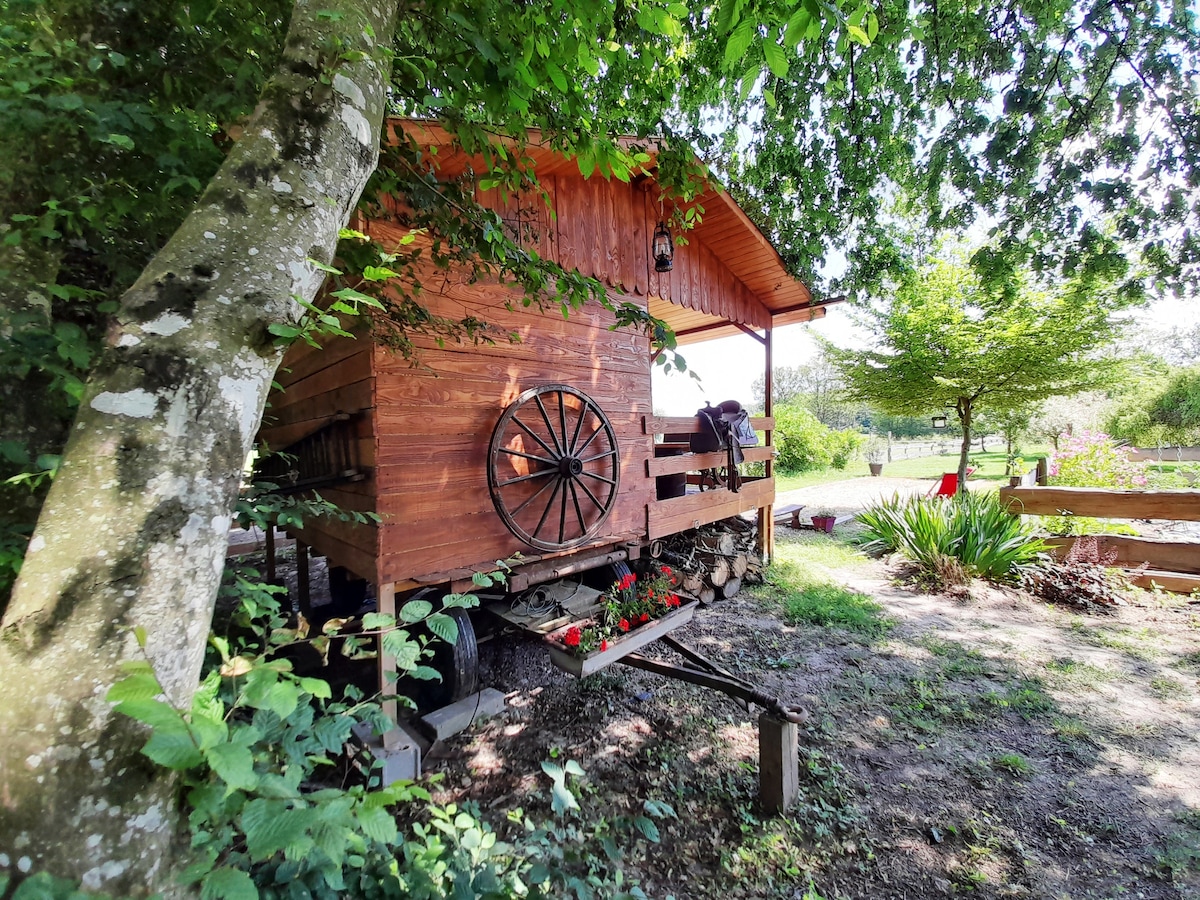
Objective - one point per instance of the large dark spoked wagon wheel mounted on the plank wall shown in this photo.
(554, 467)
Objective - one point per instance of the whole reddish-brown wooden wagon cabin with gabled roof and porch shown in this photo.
(544, 447)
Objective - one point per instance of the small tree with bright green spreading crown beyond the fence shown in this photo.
(944, 341)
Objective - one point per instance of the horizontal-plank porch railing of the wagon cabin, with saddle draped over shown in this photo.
(673, 515)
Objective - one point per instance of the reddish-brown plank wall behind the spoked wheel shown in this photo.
(435, 423)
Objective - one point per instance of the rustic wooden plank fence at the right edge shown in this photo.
(1171, 565)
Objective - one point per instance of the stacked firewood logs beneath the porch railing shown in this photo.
(715, 561)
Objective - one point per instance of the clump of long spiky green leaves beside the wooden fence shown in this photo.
(955, 538)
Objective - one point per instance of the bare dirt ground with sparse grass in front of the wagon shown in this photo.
(981, 745)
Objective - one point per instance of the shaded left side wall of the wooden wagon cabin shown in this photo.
(316, 386)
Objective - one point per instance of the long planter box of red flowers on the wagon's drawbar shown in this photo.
(634, 614)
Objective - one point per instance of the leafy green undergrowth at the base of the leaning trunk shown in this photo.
(263, 755)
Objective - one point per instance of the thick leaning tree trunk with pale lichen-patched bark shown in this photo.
(134, 531)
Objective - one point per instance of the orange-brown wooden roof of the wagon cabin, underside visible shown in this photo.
(725, 231)
